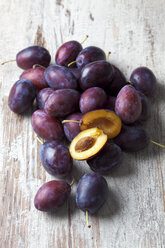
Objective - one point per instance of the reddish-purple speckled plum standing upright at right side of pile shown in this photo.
(128, 104)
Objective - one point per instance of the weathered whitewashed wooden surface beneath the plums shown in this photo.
(134, 215)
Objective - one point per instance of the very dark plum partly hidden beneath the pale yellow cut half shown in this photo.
(109, 157)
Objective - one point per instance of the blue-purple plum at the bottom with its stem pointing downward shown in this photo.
(91, 193)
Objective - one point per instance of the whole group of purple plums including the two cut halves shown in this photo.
(88, 100)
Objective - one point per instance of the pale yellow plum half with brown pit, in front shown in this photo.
(87, 143)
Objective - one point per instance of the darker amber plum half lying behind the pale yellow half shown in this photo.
(105, 120)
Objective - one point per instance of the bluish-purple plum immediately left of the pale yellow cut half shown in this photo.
(56, 159)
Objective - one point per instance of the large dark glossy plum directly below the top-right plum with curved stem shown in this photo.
(96, 74)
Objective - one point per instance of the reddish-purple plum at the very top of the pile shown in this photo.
(68, 52)
